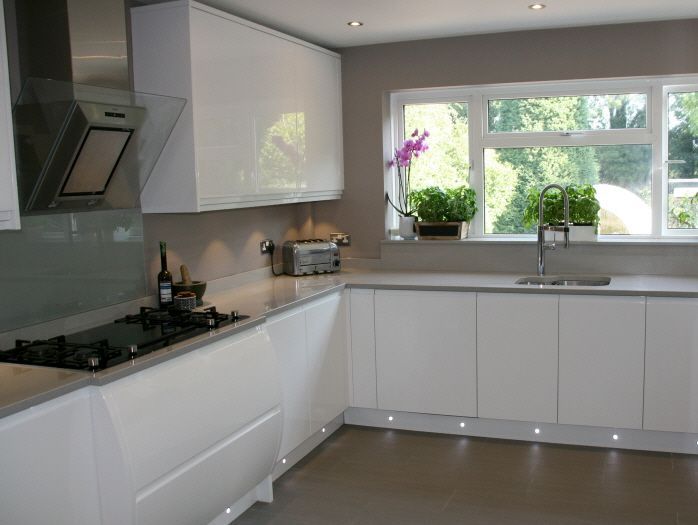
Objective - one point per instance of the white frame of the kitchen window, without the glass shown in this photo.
(656, 90)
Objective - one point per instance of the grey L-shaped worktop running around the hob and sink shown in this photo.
(24, 386)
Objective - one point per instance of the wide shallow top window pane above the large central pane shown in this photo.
(577, 113)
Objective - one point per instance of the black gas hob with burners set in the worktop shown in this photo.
(114, 343)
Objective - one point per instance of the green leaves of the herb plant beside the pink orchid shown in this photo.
(434, 204)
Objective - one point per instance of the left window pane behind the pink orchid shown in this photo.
(446, 163)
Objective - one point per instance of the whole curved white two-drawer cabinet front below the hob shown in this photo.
(195, 433)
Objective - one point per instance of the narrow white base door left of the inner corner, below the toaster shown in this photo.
(326, 329)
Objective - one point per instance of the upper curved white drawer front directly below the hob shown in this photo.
(170, 413)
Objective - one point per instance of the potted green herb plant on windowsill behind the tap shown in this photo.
(584, 210)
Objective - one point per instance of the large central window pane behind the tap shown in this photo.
(621, 175)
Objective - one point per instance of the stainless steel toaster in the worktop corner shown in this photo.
(308, 256)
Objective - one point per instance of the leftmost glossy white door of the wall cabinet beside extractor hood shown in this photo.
(224, 57)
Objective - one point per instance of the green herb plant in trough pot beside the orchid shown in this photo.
(444, 213)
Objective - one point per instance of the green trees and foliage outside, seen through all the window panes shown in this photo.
(511, 174)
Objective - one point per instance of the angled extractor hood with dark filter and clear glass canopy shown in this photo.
(85, 148)
